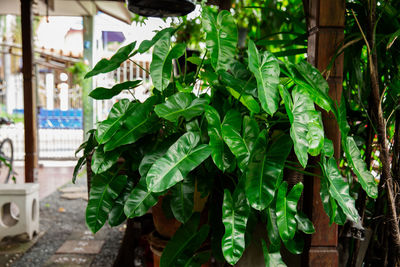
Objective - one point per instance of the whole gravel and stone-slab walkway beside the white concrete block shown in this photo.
(64, 239)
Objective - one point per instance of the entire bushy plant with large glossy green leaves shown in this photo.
(222, 133)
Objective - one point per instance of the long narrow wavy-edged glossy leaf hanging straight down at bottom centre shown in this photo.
(235, 212)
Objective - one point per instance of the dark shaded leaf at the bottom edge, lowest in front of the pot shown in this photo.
(184, 243)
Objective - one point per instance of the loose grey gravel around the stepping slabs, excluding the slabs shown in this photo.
(59, 218)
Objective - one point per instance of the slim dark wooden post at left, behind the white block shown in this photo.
(31, 158)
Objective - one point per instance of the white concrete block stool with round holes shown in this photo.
(19, 209)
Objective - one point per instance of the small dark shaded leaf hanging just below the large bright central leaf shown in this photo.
(182, 199)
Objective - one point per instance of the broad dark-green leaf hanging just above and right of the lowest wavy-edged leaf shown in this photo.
(265, 170)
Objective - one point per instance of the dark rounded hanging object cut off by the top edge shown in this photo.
(161, 8)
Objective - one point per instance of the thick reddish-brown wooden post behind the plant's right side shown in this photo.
(325, 23)
